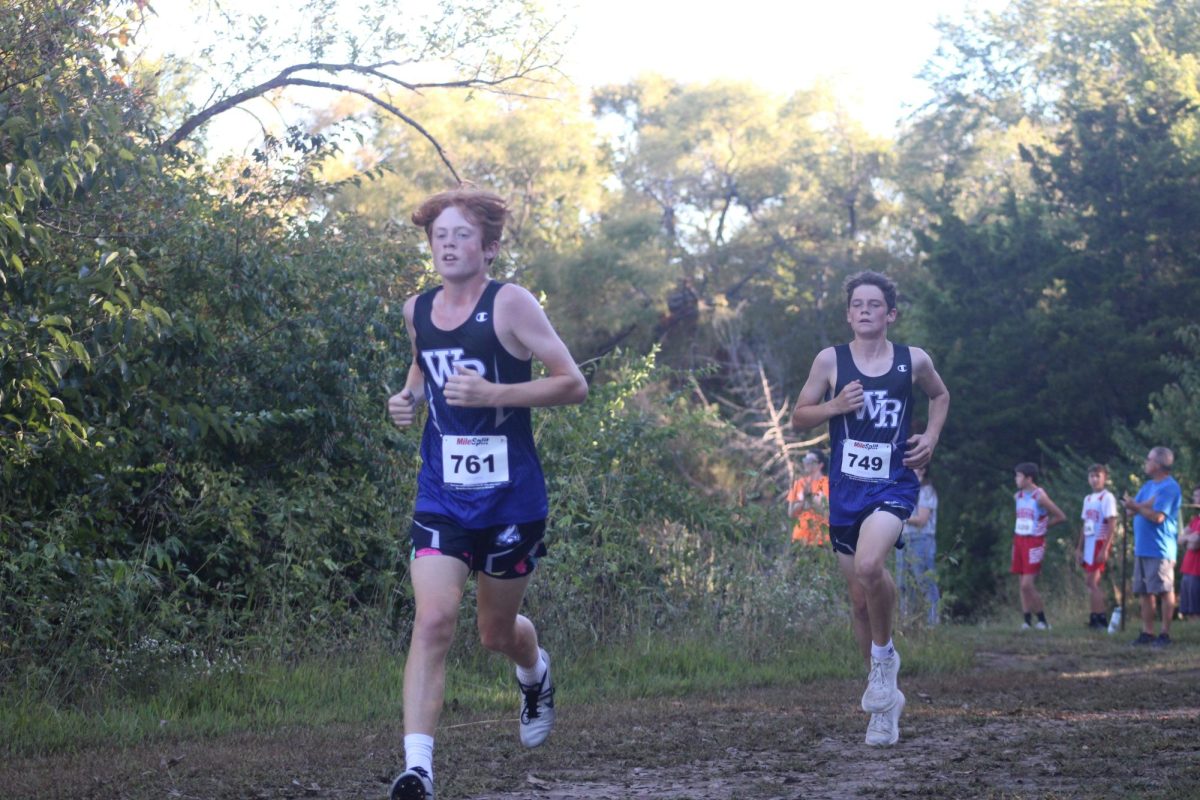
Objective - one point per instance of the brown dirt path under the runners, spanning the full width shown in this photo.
(1025, 723)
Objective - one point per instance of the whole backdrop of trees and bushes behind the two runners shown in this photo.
(195, 356)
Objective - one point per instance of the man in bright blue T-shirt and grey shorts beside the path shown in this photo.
(1156, 522)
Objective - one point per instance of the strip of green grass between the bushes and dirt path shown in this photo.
(365, 688)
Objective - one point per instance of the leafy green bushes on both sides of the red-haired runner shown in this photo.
(194, 448)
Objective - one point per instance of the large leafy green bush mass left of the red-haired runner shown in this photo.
(193, 380)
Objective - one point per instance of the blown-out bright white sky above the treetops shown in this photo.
(869, 50)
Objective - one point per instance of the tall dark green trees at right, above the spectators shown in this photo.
(1054, 290)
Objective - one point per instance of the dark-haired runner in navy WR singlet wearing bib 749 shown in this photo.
(865, 392)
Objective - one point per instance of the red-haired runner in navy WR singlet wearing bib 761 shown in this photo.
(482, 497)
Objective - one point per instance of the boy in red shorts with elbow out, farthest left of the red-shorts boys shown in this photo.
(1036, 514)
